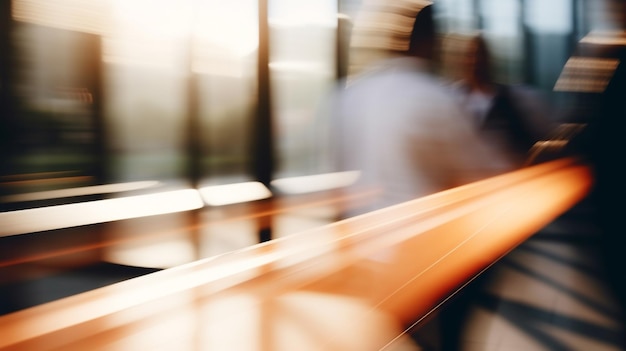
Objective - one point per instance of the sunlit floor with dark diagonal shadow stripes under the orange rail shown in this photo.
(548, 294)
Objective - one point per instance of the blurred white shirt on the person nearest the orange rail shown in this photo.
(407, 135)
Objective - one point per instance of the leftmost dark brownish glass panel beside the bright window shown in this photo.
(52, 123)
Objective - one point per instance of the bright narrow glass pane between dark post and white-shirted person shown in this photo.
(303, 36)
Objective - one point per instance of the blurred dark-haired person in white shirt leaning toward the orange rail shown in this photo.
(395, 122)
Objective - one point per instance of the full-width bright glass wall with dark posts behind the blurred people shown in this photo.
(156, 94)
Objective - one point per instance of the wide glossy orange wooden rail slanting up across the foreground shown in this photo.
(352, 285)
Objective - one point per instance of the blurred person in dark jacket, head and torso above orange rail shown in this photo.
(510, 117)
